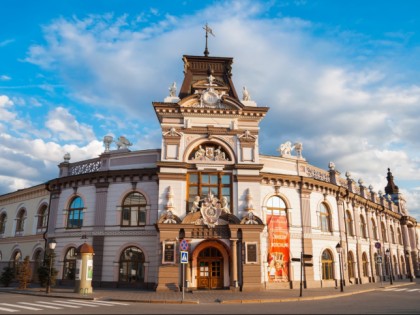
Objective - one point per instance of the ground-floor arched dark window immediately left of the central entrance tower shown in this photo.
(131, 266)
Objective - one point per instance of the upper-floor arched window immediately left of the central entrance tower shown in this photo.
(134, 210)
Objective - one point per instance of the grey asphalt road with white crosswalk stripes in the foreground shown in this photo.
(383, 301)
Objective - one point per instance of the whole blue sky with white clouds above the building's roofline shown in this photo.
(342, 77)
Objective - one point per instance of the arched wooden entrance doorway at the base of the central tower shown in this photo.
(210, 269)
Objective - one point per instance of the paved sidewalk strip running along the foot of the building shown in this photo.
(217, 296)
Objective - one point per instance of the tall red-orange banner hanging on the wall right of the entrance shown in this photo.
(279, 248)
